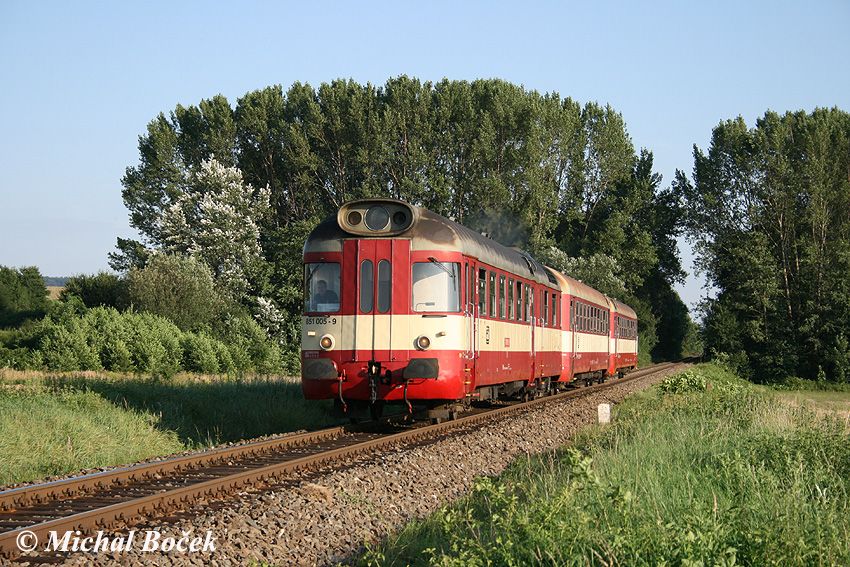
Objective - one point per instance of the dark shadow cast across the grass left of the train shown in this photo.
(208, 413)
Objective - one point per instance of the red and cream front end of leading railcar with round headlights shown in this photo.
(383, 319)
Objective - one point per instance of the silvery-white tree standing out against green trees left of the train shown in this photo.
(216, 221)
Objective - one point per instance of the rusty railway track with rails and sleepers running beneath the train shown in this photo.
(128, 495)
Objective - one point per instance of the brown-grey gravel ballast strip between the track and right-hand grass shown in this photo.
(326, 517)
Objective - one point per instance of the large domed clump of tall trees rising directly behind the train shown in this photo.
(531, 170)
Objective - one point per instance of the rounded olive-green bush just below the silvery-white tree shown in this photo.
(178, 288)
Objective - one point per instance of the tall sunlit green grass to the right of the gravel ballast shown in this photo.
(703, 470)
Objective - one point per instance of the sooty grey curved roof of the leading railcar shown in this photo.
(430, 231)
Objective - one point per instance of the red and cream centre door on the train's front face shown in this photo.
(383, 292)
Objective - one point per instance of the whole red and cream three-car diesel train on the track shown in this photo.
(404, 305)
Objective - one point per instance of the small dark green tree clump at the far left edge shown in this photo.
(23, 295)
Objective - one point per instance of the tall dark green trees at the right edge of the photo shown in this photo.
(768, 210)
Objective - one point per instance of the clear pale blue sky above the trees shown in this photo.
(82, 79)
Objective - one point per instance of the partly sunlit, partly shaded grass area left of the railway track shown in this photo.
(56, 424)
